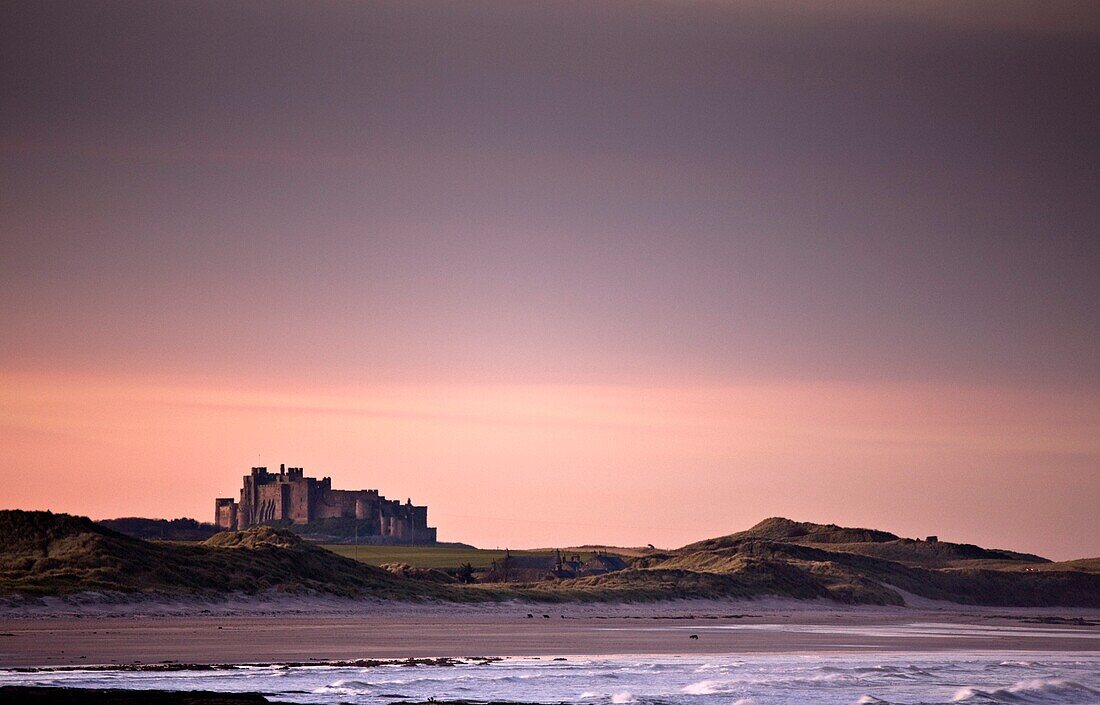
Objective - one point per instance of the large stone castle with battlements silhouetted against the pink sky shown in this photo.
(291, 497)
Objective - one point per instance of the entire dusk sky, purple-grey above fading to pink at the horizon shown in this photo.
(593, 272)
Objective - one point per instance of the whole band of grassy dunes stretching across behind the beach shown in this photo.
(48, 554)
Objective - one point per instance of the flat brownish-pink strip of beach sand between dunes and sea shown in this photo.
(444, 631)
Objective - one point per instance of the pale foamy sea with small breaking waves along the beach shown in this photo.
(850, 677)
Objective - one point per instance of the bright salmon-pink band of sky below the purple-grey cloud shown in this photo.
(527, 466)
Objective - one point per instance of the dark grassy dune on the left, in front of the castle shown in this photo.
(58, 554)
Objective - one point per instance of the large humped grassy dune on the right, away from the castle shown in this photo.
(871, 567)
